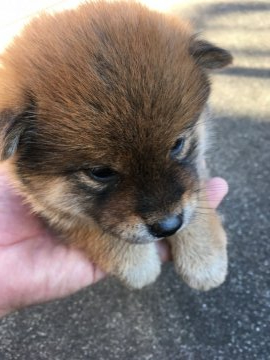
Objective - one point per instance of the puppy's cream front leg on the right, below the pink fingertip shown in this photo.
(199, 252)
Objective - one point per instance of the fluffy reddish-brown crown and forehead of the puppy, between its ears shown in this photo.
(125, 83)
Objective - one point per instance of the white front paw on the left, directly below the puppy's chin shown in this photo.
(143, 269)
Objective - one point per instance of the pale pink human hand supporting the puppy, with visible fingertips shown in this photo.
(35, 267)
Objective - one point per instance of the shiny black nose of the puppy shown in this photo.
(167, 226)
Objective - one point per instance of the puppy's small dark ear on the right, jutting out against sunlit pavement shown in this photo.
(208, 55)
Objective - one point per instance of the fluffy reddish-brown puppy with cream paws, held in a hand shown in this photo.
(102, 116)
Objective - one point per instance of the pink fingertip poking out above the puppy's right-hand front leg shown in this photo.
(216, 189)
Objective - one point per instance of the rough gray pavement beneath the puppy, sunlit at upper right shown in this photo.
(168, 320)
